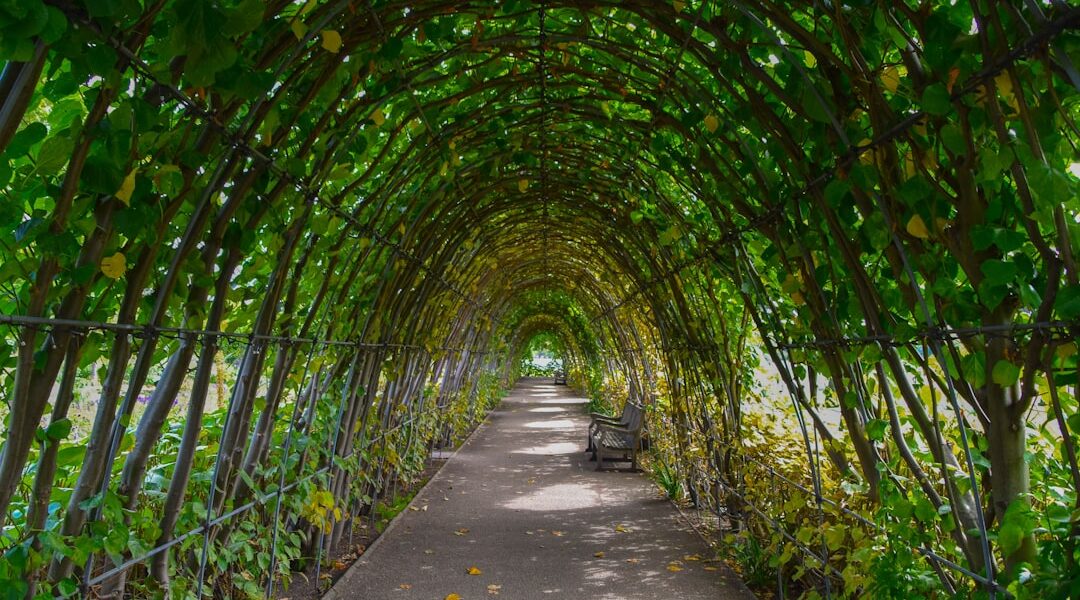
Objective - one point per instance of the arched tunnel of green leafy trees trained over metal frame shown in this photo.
(260, 258)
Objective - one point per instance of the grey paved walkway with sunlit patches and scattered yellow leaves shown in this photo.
(522, 504)
